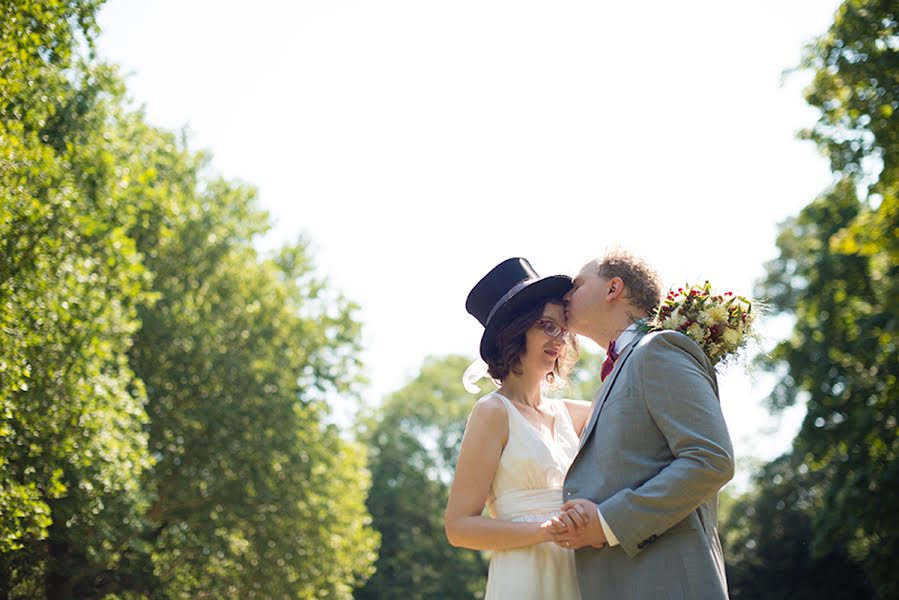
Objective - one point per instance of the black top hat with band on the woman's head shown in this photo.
(509, 288)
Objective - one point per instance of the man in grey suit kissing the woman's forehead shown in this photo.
(642, 494)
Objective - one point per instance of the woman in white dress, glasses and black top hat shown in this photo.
(518, 444)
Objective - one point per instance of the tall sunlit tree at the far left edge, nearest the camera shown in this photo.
(71, 410)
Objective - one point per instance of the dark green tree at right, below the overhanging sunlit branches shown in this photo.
(841, 359)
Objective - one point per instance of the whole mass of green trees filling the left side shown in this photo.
(162, 387)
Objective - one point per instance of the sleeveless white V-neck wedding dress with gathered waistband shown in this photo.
(528, 487)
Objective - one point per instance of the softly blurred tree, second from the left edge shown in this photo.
(253, 496)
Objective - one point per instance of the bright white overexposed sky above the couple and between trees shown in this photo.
(419, 143)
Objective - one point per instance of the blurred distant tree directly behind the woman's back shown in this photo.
(413, 443)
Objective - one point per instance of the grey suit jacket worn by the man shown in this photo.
(653, 456)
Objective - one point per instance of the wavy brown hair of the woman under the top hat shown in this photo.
(511, 340)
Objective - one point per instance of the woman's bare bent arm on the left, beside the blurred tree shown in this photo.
(483, 442)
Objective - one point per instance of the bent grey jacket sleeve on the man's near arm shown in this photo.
(679, 390)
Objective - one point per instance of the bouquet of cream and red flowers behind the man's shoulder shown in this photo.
(721, 324)
